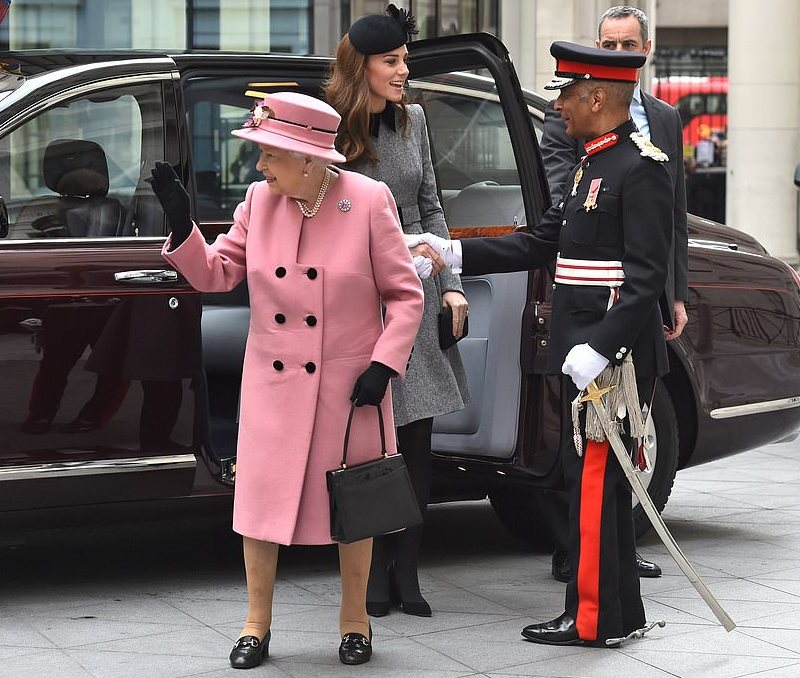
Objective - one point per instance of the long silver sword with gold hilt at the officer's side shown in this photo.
(594, 395)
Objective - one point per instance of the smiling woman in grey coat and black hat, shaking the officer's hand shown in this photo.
(386, 139)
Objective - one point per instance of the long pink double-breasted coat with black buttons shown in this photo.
(317, 288)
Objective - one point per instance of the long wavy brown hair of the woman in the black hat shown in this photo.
(347, 90)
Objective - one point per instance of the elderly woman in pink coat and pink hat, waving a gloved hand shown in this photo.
(335, 306)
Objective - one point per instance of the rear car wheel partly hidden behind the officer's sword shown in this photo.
(661, 443)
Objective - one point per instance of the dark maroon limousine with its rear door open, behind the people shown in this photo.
(116, 388)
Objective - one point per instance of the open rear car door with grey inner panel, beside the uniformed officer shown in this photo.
(492, 181)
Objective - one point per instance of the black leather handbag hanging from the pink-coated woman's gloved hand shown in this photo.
(370, 499)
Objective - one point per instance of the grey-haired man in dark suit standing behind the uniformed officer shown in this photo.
(624, 29)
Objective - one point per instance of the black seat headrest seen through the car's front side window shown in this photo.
(75, 168)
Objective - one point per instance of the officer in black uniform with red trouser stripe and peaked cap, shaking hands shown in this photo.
(611, 237)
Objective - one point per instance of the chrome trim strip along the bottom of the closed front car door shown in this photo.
(66, 469)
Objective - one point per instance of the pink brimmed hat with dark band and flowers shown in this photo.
(294, 122)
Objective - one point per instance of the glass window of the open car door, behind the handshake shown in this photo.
(472, 154)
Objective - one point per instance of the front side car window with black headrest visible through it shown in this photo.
(76, 169)
